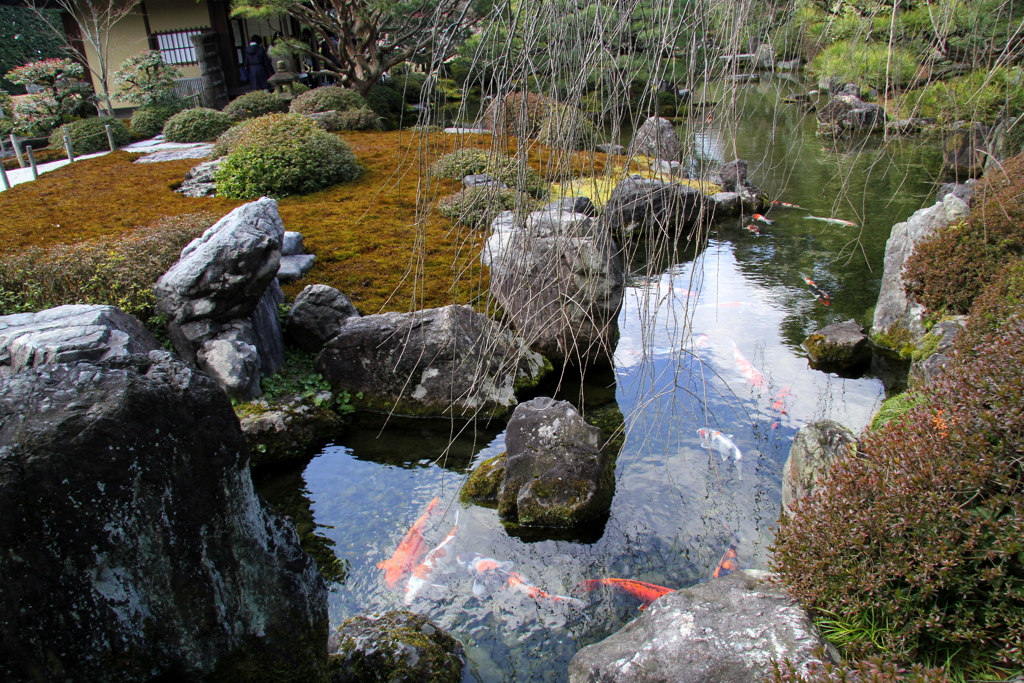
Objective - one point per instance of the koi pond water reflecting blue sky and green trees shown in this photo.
(711, 337)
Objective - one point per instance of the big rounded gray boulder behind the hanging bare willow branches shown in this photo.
(561, 283)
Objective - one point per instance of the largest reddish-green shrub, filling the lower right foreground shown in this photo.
(913, 548)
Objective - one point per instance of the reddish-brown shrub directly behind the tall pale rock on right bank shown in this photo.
(950, 269)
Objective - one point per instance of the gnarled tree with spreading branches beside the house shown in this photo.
(363, 39)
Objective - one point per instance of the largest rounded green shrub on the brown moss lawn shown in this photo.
(282, 155)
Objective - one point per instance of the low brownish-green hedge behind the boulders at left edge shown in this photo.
(118, 272)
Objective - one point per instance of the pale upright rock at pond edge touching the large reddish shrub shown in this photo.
(816, 448)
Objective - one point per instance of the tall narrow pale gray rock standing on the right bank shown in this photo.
(897, 319)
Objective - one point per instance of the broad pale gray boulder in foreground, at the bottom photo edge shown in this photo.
(727, 631)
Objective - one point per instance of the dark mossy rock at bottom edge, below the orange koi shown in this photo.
(397, 647)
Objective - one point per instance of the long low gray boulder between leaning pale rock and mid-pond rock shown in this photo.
(449, 361)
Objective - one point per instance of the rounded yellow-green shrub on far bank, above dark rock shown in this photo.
(868, 65)
